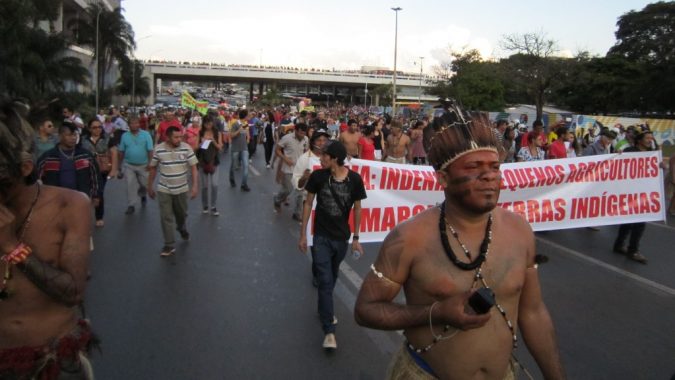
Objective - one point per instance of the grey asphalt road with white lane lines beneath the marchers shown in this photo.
(236, 301)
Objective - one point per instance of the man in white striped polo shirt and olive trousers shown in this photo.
(174, 159)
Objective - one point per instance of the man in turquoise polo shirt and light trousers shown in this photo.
(135, 151)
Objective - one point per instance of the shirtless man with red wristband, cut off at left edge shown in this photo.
(44, 259)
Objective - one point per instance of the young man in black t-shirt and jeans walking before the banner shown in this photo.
(337, 190)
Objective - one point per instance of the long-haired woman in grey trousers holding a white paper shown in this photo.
(208, 154)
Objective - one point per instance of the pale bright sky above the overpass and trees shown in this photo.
(349, 34)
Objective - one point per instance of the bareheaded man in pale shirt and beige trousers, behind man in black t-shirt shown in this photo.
(289, 149)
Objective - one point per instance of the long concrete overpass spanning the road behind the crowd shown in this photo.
(345, 84)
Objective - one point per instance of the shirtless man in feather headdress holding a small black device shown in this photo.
(445, 337)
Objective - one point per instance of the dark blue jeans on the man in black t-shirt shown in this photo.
(327, 255)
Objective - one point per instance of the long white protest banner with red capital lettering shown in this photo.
(550, 195)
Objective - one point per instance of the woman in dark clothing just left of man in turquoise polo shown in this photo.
(98, 143)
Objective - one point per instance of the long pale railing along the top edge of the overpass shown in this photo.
(352, 74)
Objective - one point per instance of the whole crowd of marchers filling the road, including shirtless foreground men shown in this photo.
(173, 154)
